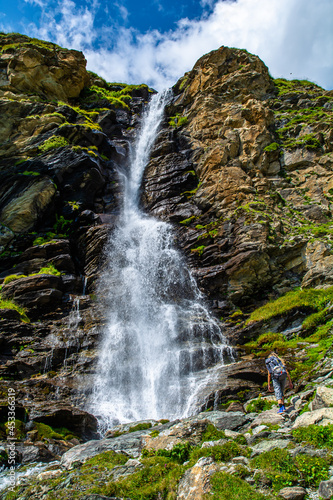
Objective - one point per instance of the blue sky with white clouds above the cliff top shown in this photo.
(156, 42)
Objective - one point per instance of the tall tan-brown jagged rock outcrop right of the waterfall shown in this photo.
(234, 167)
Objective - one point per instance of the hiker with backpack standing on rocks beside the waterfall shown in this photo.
(278, 374)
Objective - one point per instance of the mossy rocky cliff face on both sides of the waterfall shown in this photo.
(242, 168)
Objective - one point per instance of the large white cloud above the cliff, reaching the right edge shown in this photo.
(293, 38)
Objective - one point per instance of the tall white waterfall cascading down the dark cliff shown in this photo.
(160, 338)
